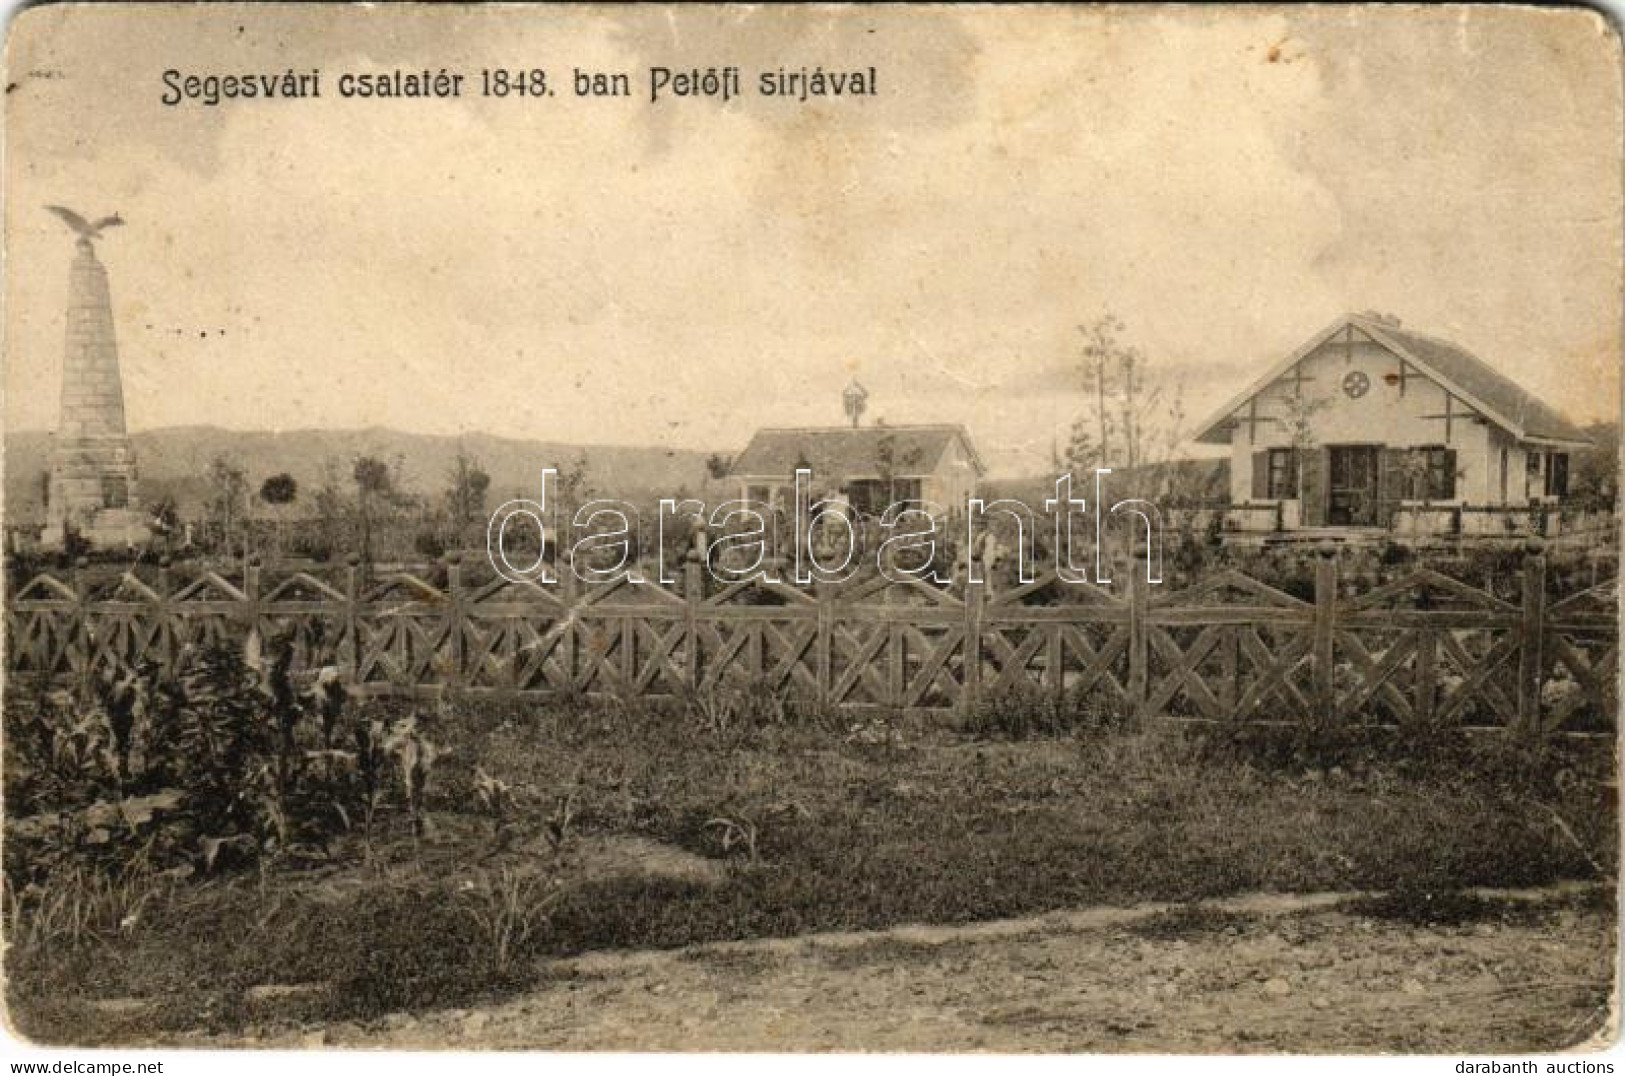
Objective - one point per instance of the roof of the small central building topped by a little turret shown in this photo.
(851, 453)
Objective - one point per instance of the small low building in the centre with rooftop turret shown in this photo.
(870, 467)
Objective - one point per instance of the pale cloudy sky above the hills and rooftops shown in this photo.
(683, 272)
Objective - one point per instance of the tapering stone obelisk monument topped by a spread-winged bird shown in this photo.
(92, 461)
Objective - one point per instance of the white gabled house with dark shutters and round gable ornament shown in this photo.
(1371, 425)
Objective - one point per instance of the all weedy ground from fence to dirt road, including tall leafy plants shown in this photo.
(193, 841)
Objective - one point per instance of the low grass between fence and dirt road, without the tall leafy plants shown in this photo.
(565, 830)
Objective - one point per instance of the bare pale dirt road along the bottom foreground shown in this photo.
(1255, 974)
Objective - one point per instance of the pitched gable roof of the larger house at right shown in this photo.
(1470, 378)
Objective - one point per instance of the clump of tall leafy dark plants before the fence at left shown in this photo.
(227, 763)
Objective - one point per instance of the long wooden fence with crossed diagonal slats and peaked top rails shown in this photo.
(1421, 649)
